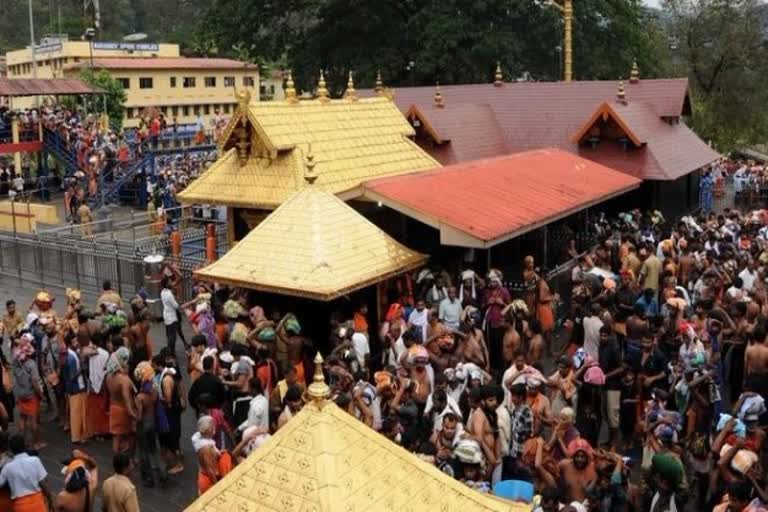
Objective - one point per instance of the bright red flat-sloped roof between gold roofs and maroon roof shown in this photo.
(501, 197)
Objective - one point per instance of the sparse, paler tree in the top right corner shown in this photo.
(722, 44)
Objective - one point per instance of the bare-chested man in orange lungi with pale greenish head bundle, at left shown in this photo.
(122, 414)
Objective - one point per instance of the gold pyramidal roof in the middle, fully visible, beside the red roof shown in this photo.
(315, 246)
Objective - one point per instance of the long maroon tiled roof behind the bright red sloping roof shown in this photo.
(533, 115)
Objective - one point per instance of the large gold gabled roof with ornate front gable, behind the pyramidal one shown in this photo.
(353, 141)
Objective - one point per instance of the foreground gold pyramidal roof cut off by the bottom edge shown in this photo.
(325, 460)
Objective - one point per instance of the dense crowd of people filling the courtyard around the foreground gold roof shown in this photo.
(649, 396)
